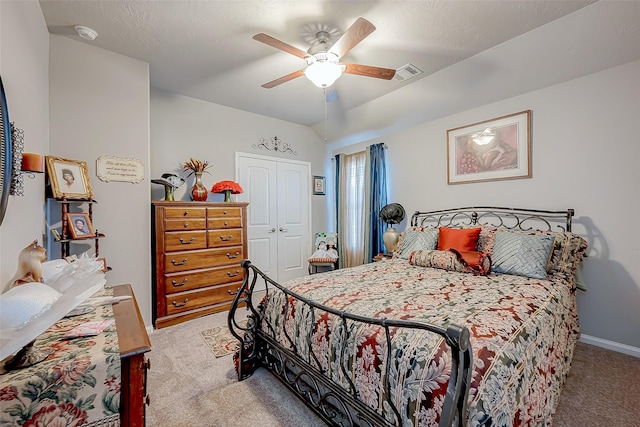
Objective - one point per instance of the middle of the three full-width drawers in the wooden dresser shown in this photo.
(180, 282)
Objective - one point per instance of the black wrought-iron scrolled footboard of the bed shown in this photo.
(335, 404)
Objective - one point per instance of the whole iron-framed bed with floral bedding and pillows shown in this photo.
(436, 335)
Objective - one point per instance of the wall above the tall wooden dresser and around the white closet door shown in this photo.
(184, 127)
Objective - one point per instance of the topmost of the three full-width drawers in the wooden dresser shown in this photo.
(192, 260)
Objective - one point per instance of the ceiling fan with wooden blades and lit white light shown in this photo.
(323, 59)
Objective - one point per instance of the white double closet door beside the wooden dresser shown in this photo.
(279, 219)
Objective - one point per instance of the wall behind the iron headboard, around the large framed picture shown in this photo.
(585, 154)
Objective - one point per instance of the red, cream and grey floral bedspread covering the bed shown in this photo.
(523, 333)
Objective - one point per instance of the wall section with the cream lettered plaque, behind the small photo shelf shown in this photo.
(99, 106)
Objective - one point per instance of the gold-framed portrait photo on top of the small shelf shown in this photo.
(69, 178)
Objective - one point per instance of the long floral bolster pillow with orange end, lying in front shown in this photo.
(452, 260)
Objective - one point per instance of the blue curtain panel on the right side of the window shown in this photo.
(378, 182)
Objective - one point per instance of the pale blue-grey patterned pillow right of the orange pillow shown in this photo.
(521, 254)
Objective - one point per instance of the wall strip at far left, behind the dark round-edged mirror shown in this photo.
(24, 67)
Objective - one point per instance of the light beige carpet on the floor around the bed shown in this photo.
(190, 387)
